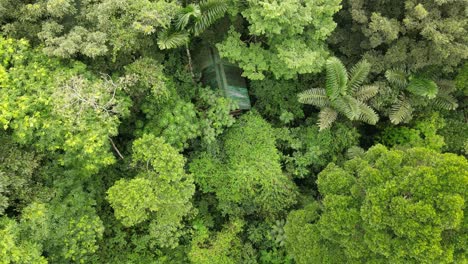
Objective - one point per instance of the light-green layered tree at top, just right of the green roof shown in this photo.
(284, 37)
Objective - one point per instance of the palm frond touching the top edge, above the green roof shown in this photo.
(211, 10)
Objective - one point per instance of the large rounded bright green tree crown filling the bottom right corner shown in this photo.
(388, 206)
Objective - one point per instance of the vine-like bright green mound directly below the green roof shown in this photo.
(246, 174)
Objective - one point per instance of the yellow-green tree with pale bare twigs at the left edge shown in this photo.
(54, 107)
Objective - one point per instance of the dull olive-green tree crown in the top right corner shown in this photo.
(416, 34)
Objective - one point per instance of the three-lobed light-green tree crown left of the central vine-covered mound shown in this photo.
(161, 193)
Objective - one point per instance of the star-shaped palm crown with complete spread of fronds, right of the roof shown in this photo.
(343, 94)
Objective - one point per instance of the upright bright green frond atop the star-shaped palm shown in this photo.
(337, 78)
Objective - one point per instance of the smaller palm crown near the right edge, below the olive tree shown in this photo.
(418, 91)
